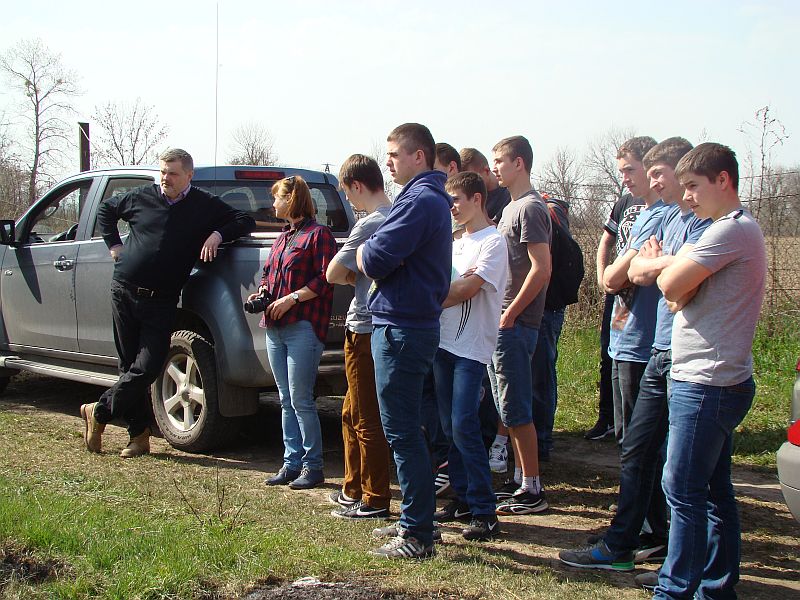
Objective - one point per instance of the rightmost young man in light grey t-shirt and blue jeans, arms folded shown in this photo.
(716, 290)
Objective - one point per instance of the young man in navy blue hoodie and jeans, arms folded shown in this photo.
(409, 258)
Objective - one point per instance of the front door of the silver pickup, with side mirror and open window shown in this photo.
(38, 288)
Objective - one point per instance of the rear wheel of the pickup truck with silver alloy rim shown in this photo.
(186, 397)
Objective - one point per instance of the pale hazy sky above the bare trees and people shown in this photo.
(329, 79)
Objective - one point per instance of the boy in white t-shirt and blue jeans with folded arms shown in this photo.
(469, 326)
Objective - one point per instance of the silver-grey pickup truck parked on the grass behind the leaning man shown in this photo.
(55, 308)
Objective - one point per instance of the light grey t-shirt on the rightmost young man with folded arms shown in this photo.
(712, 336)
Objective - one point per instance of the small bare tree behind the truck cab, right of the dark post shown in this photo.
(128, 134)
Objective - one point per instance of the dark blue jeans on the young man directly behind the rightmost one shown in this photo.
(642, 461)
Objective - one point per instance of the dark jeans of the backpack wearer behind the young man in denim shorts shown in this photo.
(545, 379)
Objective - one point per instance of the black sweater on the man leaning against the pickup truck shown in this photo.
(165, 240)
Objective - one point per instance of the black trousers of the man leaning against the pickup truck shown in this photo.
(142, 330)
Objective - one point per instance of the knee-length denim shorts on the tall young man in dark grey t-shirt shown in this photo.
(510, 374)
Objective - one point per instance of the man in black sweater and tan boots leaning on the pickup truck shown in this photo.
(170, 226)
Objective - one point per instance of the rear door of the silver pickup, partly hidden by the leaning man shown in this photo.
(94, 272)
